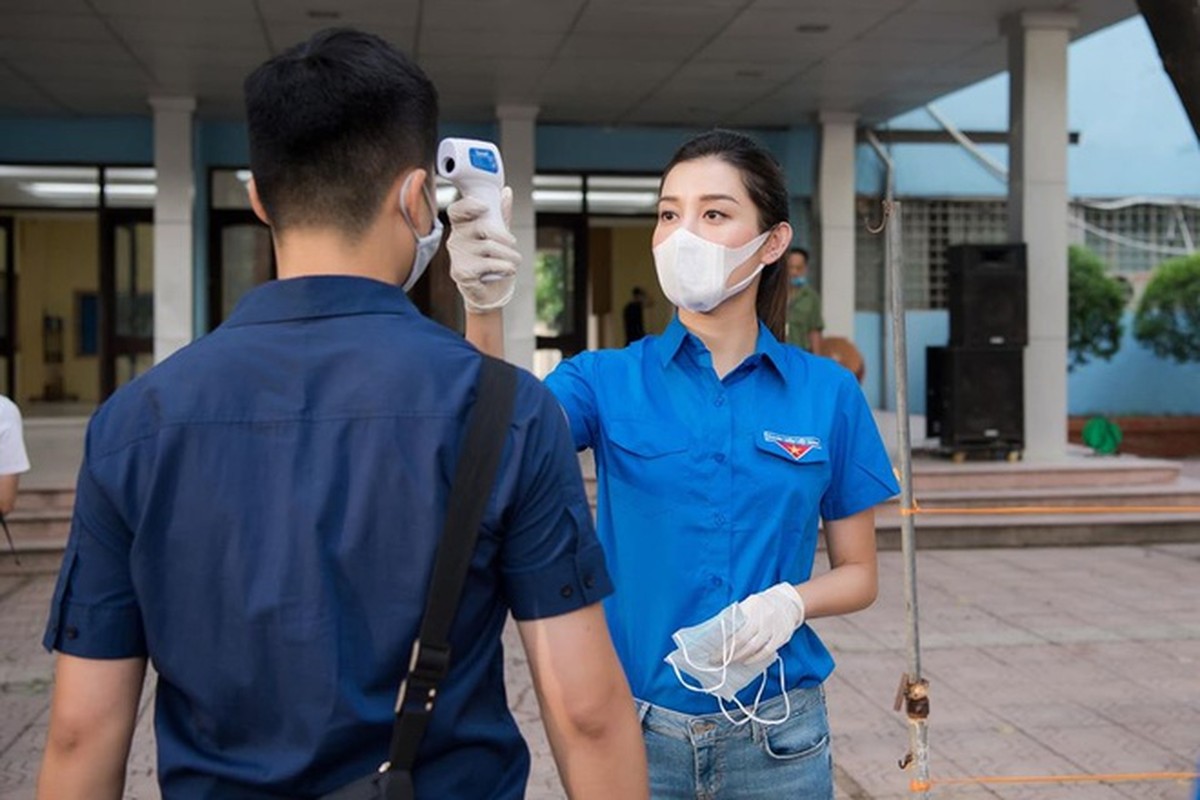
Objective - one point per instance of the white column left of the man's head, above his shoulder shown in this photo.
(173, 279)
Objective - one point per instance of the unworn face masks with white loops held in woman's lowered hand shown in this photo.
(706, 653)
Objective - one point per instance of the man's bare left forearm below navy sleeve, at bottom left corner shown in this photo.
(93, 714)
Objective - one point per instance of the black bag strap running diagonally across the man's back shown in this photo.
(475, 477)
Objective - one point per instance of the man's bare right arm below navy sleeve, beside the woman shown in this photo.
(586, 706)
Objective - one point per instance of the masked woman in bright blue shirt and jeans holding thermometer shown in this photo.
(718, 452)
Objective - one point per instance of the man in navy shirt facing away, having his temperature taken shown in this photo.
(259, 515)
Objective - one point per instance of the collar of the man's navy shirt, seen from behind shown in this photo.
(316, 297)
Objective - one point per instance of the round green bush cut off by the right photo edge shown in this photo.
(1168, 320)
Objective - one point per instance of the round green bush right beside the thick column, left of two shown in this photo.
(1095, 304)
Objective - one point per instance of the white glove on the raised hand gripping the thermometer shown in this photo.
(484, 258)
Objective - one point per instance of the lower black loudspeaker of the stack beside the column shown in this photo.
(975, 398)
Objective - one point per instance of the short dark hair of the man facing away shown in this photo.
(333, 123)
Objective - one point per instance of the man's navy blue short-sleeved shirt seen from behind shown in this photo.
(260, 514)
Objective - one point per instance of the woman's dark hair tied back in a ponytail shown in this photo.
(765, 183)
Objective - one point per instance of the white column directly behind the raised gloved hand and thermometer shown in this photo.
(518, 147)
